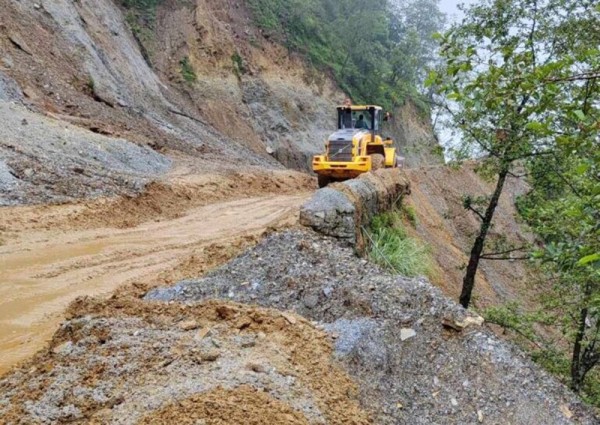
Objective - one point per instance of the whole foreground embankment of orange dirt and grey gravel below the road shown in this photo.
(130, 359)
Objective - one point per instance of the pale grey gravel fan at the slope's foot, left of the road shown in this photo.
(44, 160)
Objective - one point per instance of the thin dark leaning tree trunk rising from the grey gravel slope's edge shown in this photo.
(469, 279)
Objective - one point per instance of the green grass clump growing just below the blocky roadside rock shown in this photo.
(392, 247)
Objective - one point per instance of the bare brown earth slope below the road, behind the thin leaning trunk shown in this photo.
(443, 223)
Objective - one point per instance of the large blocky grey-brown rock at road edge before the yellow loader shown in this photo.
(342, 209)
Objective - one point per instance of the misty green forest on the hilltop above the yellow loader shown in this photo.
(378, 51)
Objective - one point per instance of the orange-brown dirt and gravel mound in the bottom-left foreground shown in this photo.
(129, 361)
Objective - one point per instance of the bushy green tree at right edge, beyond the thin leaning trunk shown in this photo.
(563, 208)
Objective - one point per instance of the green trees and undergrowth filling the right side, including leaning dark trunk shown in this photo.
(524, 88)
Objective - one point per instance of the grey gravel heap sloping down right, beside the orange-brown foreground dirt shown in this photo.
(389, 336)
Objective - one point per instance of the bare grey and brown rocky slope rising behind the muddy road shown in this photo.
(199, 79)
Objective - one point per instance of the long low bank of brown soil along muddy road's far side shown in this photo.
(159, 201)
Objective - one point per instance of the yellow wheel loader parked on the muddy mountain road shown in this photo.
(356, 147)
